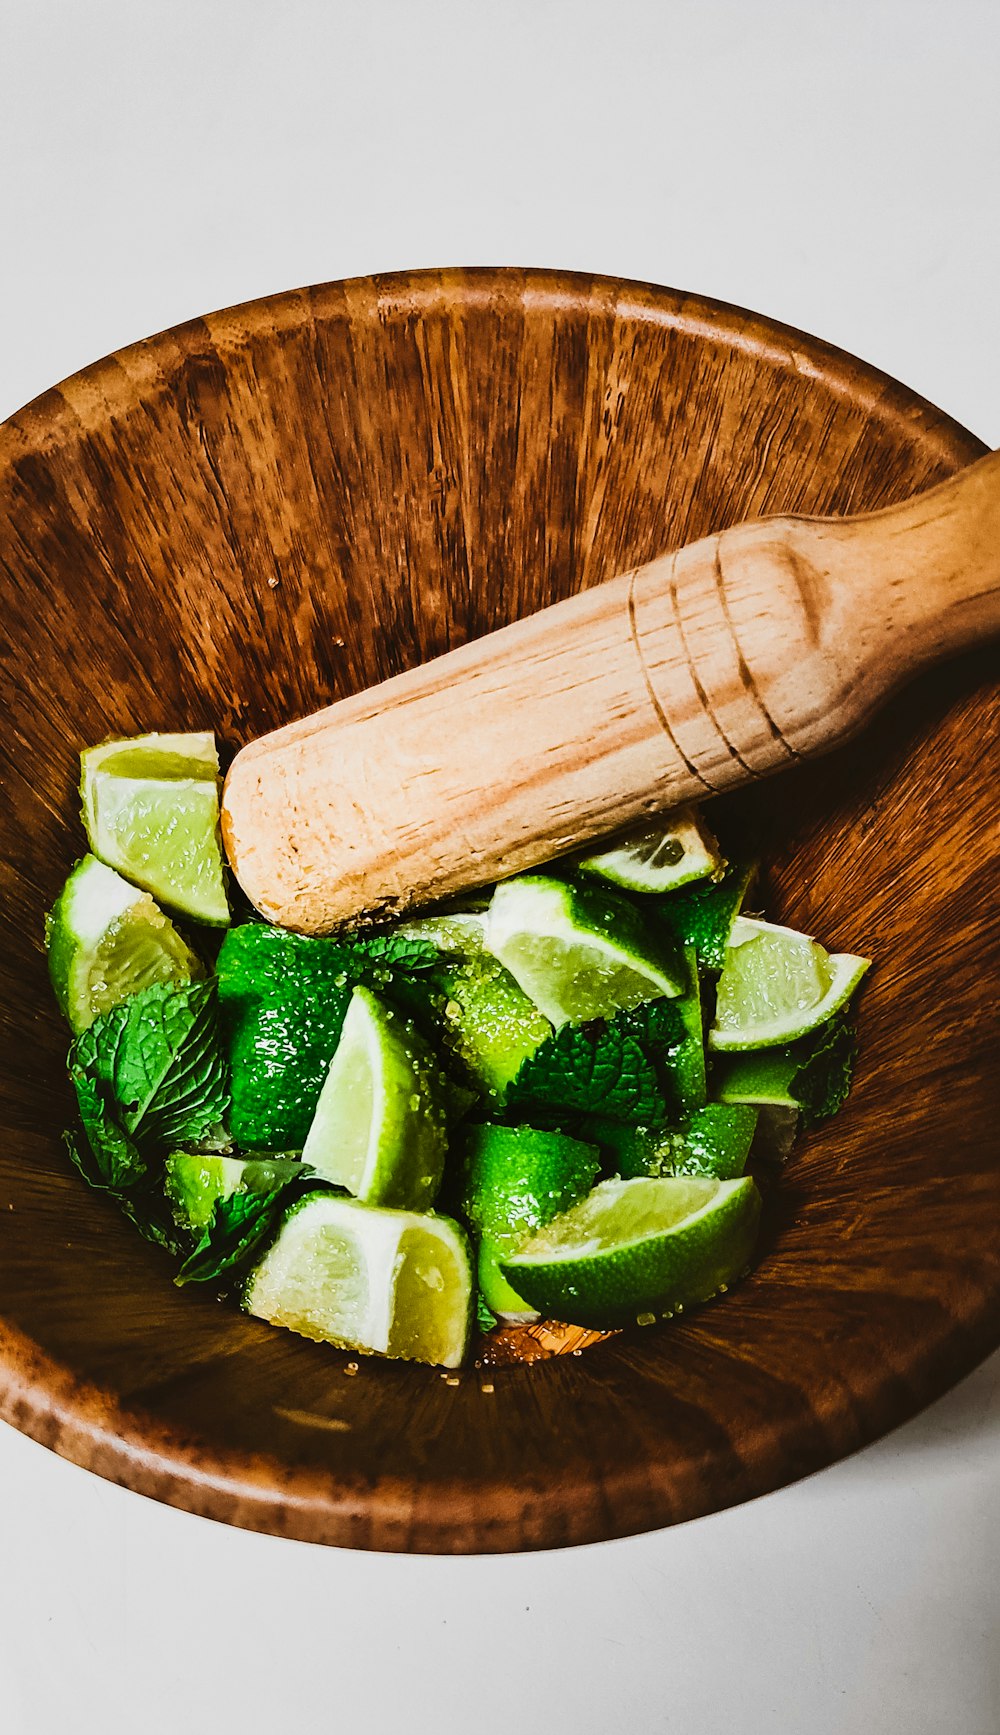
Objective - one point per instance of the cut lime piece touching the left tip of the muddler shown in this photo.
(152, 811)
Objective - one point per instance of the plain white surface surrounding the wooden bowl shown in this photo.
(831, 164)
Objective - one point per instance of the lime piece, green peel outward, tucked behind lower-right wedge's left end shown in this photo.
(516, 1181)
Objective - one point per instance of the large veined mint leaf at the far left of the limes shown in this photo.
(161, 1063)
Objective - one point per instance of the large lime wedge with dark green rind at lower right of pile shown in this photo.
(638, 1248)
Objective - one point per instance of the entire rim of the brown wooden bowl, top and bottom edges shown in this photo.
(89, 1425)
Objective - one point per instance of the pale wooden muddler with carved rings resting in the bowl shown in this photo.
(713, 665)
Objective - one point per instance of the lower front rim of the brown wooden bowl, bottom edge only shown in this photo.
(88, 1427)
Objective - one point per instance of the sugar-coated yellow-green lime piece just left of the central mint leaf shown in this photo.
(489, 1023)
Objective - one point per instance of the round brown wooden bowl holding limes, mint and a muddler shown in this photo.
(256, 514)
